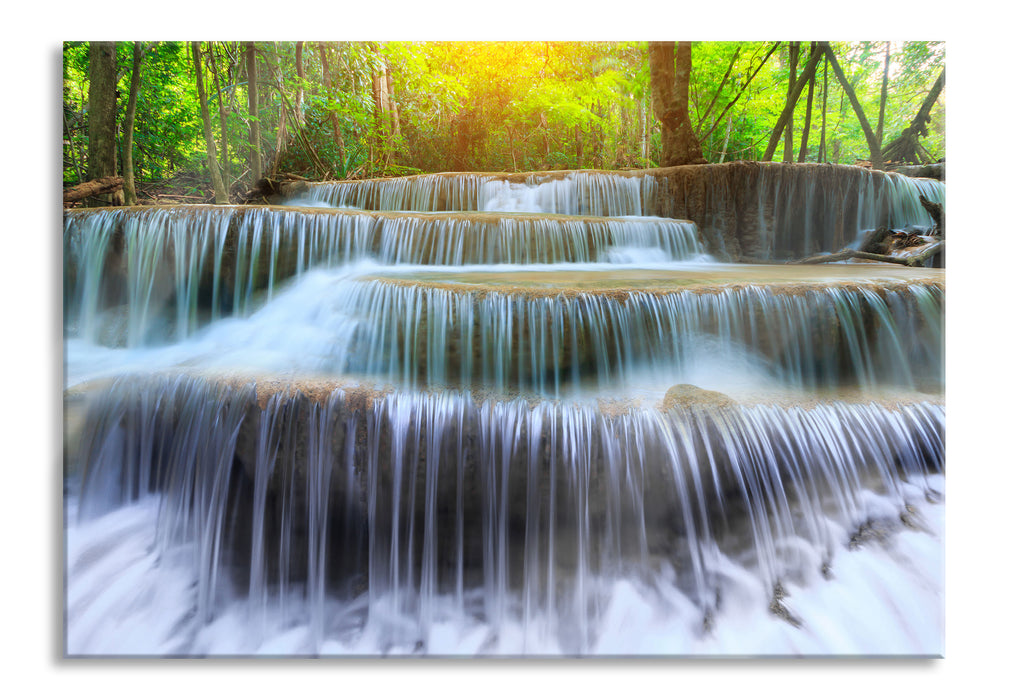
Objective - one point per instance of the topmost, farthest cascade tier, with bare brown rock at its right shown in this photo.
(755, 210)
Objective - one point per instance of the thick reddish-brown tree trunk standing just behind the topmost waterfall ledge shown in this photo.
(670, 67)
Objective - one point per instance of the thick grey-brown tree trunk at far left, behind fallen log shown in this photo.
(102, 115)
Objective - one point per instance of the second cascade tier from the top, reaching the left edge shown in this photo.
(184, 266)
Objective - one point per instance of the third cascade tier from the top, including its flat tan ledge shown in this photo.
(542, 331)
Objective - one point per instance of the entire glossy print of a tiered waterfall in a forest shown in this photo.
(504, 348)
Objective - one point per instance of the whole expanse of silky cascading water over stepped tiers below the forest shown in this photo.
(320, 432)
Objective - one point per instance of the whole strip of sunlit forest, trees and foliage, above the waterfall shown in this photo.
(191, 123)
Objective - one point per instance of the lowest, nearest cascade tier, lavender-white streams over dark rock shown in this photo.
(559, 498)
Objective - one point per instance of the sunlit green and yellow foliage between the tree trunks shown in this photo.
(486, 106)
